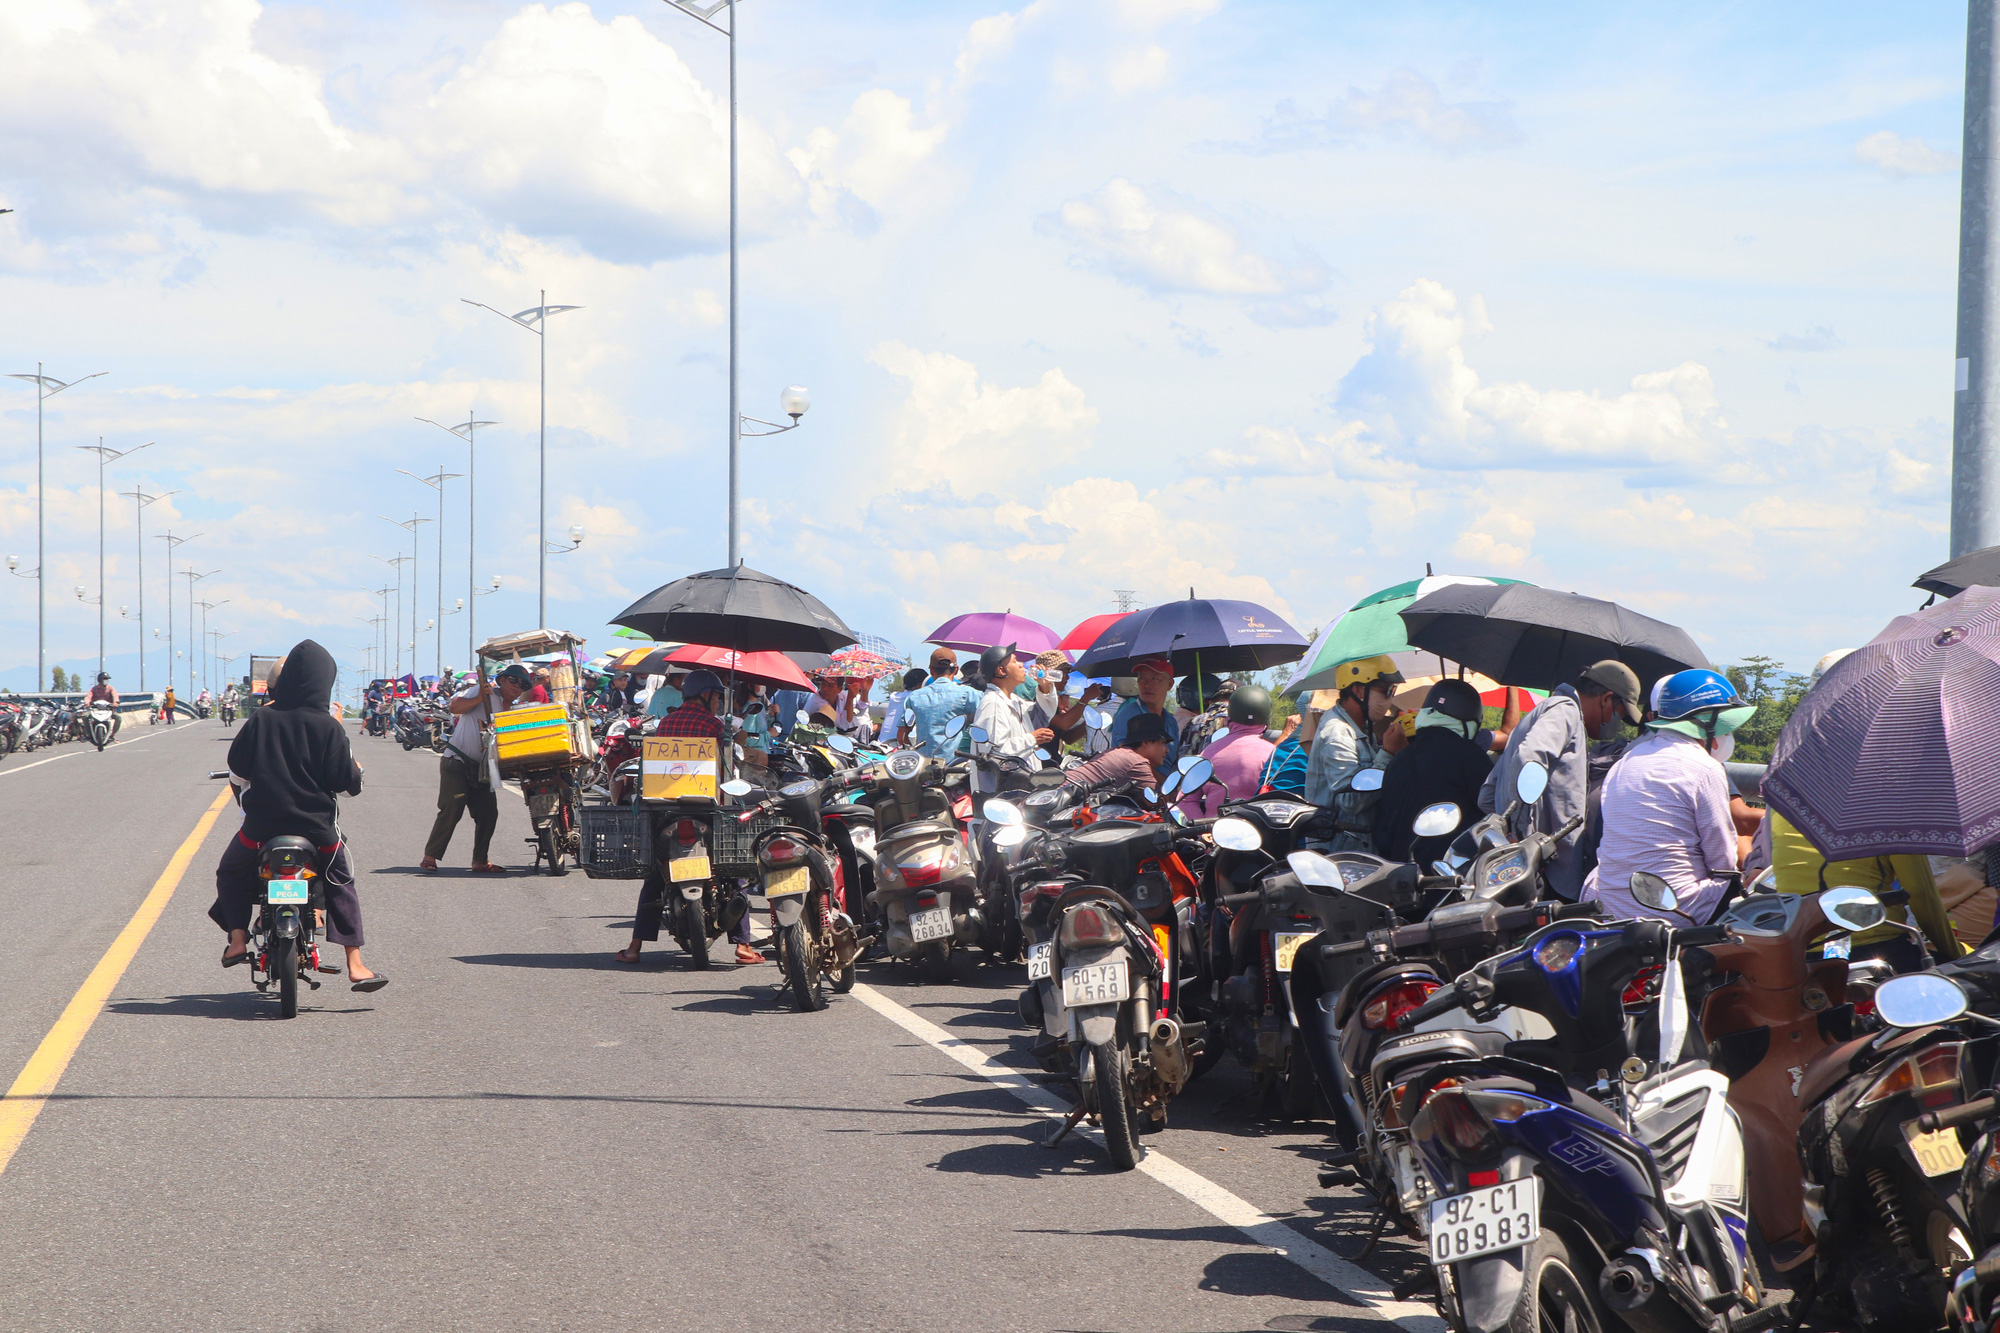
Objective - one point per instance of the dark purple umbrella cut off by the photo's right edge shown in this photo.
(1897, 750)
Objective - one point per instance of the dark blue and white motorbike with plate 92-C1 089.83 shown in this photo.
(1589, 1174)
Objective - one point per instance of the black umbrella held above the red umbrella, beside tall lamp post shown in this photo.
(739, 609)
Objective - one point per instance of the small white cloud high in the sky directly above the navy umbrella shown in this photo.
(1171, 247)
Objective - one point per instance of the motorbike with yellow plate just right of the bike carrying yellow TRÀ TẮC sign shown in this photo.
(801, 876)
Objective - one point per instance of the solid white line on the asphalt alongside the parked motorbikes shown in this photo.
(1191, 1186)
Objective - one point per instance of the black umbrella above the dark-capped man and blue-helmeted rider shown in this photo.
(1539, 637)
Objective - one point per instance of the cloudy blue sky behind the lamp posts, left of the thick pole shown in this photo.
(1275, 301)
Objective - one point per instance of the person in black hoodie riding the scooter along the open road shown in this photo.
(291, 764)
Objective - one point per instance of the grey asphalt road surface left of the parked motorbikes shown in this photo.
(521, 1132)
